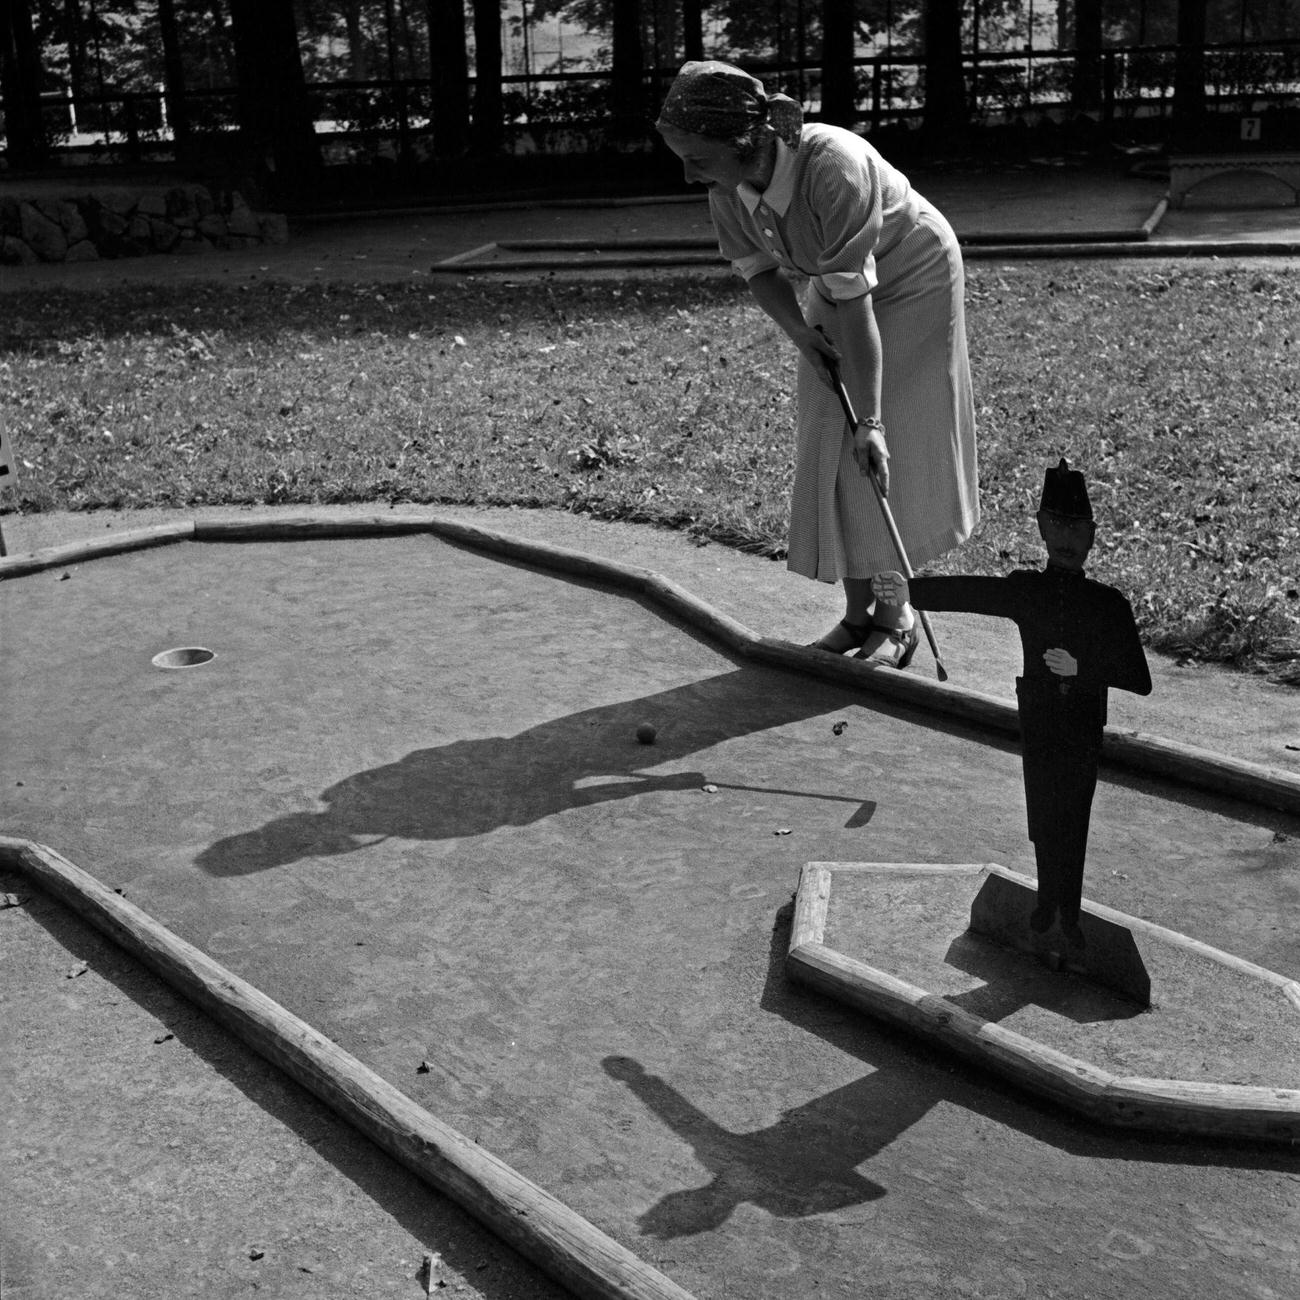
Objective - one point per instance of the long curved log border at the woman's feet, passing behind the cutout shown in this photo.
(1133, 751)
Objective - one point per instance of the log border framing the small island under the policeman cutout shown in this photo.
(1162, 1106)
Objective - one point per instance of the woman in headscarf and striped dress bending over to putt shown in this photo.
(886, 304)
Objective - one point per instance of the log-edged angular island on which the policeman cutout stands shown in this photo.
(1214, 1055)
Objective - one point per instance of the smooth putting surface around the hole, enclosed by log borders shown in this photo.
(406, 800)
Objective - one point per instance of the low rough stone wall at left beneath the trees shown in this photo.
(120, 223)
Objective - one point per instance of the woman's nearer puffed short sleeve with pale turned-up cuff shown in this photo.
(844, 193)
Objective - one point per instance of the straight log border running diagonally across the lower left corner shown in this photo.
(543, 1229)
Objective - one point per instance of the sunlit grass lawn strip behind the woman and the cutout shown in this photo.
(669, 401)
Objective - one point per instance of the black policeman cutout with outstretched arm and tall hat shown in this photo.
(1080, 639)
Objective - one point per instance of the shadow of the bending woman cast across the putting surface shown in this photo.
(471, 787)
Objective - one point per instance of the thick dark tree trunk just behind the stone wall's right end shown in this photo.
(275, 112)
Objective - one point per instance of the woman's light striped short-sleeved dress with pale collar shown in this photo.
(838, 213)
